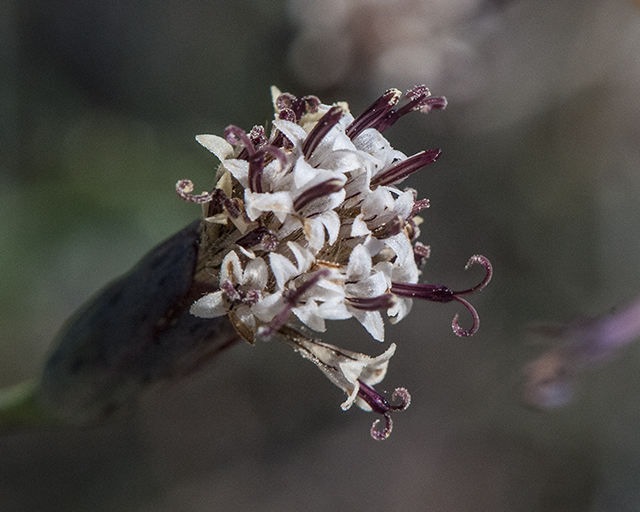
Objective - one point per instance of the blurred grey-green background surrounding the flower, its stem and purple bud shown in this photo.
(99, 104)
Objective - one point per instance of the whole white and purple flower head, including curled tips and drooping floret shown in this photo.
(308, 223)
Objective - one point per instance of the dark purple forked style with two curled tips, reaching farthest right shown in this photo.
(439, 293)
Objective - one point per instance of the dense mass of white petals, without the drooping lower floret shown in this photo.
(323, 215)
